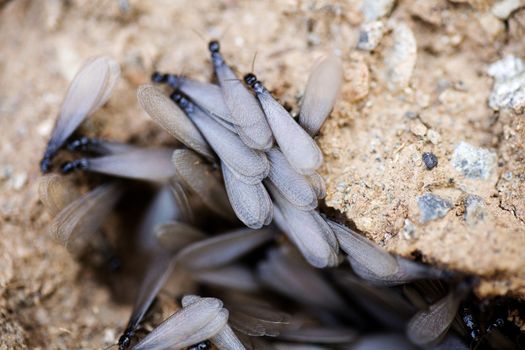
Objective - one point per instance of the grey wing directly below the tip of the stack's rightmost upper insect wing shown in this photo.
(293, 186)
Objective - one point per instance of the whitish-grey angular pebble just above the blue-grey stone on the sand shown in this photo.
(473, 162)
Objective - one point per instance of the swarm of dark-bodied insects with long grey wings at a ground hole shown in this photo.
(245, 161)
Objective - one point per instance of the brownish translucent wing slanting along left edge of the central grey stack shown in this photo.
(199, 177)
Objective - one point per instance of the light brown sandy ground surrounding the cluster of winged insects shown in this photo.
(423, 88)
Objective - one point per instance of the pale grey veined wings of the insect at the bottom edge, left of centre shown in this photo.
(196, 322)
